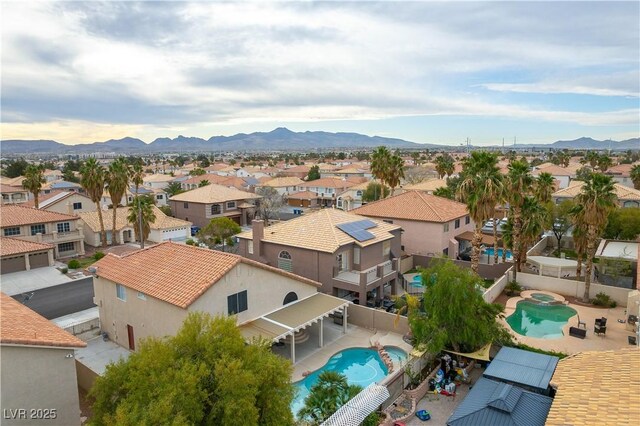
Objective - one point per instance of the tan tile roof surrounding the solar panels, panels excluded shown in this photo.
(318, 231)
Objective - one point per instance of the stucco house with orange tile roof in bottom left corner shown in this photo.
(38, 368)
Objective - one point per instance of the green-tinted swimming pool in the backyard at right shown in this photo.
(541, 320)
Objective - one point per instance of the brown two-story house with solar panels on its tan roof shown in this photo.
(352, 256)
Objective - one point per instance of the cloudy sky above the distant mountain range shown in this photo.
(421, 71)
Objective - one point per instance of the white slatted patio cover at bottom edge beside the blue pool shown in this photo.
(360, 406)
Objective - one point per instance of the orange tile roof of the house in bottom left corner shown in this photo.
(22, 326)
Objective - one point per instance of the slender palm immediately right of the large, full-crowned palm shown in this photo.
(519, 184)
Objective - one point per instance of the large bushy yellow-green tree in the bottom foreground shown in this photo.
(205, 374)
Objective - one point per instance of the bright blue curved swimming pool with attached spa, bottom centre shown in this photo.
(361, 366)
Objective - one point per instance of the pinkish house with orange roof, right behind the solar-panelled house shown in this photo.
(430, 224)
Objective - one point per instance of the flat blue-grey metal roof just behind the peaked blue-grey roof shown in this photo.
(528, 369)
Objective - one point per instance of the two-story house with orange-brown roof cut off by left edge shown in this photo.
(42, 226)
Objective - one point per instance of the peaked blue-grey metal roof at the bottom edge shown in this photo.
(500, 404)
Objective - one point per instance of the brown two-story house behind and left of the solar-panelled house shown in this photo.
(200, 205)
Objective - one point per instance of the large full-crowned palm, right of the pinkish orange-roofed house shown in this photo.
(479, 190)
